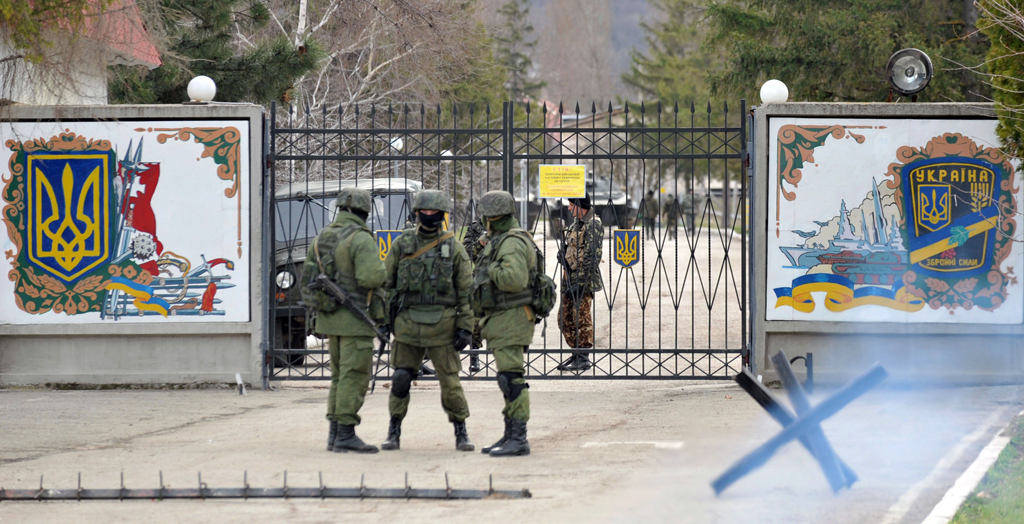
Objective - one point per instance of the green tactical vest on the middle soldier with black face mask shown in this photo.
(429, 279)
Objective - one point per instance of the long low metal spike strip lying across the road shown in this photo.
(203, 492)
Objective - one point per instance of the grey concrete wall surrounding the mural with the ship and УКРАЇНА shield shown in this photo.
(948, 354)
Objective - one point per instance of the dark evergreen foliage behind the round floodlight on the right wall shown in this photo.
(837, 51)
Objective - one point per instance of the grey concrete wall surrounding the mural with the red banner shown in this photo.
(114, 353)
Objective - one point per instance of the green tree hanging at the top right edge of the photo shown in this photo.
(1002, 23)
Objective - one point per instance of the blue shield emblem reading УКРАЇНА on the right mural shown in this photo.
(952, 211)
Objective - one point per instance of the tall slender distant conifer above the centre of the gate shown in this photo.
(515, 49)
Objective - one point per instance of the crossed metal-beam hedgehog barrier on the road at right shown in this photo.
(805, 426)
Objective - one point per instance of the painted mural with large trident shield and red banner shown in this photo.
(125, 222)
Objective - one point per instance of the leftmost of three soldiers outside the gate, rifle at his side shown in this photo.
(347, 252)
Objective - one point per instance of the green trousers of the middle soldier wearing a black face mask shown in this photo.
(447, 366)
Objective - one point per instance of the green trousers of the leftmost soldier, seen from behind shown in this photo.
(352, 364)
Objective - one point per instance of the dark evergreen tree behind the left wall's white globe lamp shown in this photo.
(201, 41)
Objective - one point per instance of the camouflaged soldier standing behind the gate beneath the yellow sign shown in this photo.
(581, 257)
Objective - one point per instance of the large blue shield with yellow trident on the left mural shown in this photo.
(70, 211)
